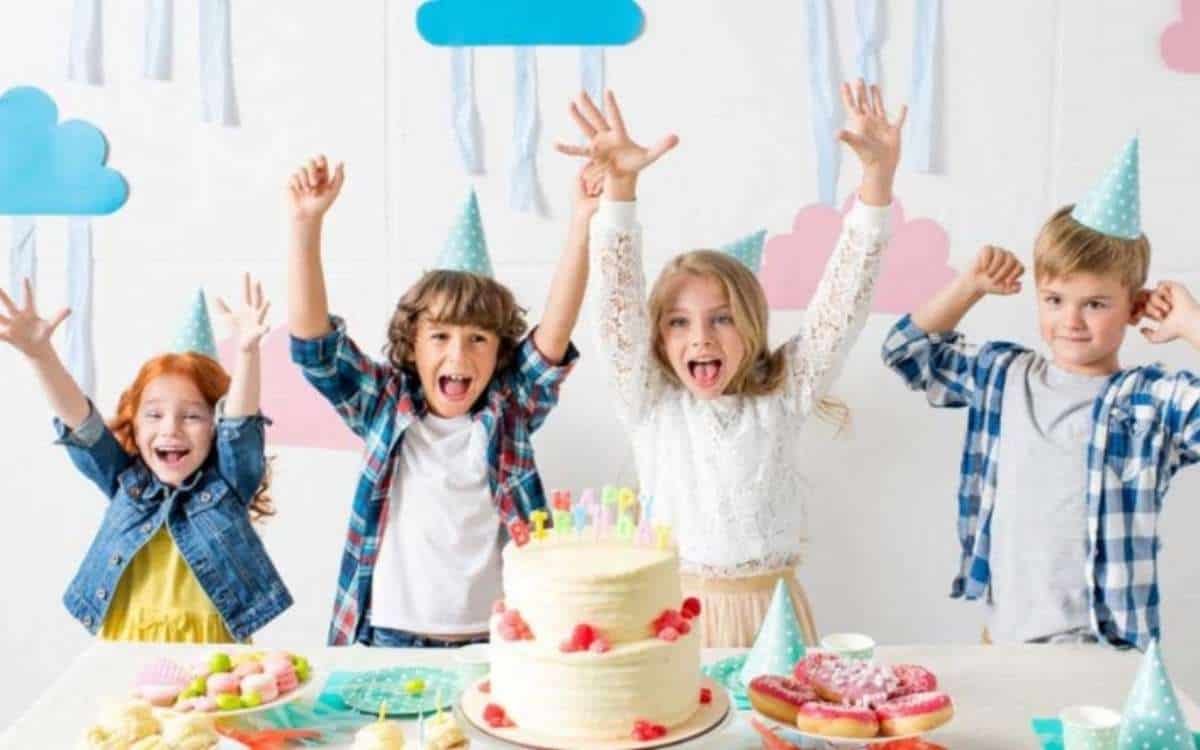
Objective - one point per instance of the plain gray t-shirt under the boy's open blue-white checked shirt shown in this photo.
(1040, 520)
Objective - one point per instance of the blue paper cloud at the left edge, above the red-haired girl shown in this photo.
(51, 169)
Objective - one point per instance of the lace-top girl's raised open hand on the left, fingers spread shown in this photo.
(610, 147)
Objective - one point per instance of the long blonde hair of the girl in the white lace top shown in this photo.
(763, 370)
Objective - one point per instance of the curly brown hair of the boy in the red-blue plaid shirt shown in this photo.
(459, 299)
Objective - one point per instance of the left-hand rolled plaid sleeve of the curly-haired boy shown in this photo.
(346, 377)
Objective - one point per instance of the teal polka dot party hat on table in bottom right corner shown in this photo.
(1153, 715)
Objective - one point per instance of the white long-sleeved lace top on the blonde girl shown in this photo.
(727, 473)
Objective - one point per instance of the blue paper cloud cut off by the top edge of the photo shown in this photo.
(475, 23)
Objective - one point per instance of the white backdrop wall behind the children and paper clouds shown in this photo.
(1037, 98)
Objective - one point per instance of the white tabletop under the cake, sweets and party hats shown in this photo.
(997, 689)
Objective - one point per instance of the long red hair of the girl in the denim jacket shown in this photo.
(211, 380)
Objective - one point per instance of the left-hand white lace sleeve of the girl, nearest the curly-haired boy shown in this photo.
(623, 328)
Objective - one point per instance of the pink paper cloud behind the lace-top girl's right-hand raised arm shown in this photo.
(915, 265)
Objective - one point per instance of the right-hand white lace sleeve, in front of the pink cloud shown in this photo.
(838, 310)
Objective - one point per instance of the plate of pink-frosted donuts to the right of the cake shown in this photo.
(848, 703)
